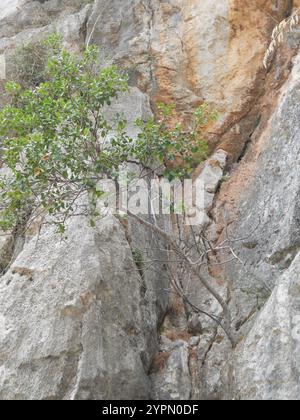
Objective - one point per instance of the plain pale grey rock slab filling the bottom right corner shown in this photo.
(267, 364)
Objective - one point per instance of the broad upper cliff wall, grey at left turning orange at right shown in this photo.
(188, 52)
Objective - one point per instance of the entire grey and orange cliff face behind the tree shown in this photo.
(79, 319)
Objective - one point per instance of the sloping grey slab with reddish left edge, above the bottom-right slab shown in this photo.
(264, 192)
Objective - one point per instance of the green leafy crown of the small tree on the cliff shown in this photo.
(57, 143)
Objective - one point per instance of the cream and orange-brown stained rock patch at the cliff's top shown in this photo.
(237, 79)
